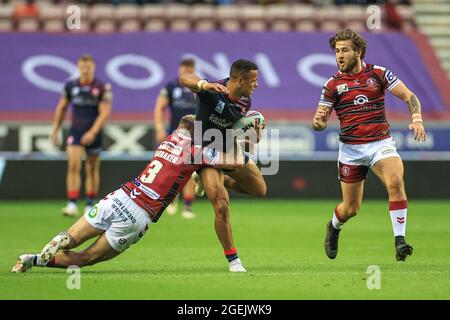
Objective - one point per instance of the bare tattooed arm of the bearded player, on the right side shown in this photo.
(401, 91)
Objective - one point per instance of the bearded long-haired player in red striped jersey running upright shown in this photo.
(356, 93)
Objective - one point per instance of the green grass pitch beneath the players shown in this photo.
(280, 243)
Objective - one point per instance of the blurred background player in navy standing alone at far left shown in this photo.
(91, 103)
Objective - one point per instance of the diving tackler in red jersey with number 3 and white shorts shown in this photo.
(123, 216)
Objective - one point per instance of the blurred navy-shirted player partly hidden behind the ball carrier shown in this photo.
(179, 101)
